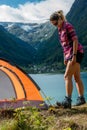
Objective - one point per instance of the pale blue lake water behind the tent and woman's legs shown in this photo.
(53, 86)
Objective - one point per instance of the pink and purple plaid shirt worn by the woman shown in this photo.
(67, 35)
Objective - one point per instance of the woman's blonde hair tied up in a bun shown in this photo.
(56, 15)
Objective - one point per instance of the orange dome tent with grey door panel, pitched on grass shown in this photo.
(16, 84)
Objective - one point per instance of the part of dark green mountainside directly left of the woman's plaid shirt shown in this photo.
(51, 51)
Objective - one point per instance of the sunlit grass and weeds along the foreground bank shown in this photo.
(53, 119)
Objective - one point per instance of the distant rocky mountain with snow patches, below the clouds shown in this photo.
(31, 33)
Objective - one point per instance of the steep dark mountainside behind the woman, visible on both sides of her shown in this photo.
(78, 17)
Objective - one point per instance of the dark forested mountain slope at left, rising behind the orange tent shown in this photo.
(14, 49)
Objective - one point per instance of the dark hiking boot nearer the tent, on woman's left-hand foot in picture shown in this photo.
(66, 103)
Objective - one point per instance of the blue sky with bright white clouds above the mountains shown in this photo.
(31, 11)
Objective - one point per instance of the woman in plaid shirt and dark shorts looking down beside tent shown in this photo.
(73, 55)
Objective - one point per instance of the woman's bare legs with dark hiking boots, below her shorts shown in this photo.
(73, 69)
